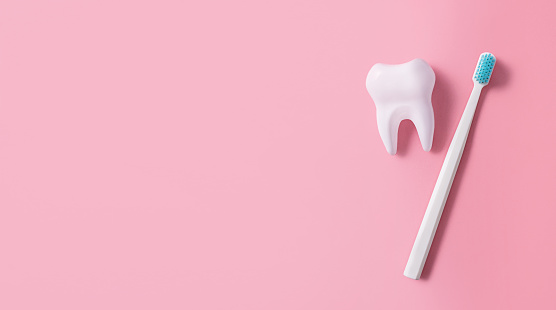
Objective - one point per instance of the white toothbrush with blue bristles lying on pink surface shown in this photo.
(423, 242)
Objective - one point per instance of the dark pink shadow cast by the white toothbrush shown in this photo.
(500, 78)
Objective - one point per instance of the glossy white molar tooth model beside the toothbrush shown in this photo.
(403, 92)
